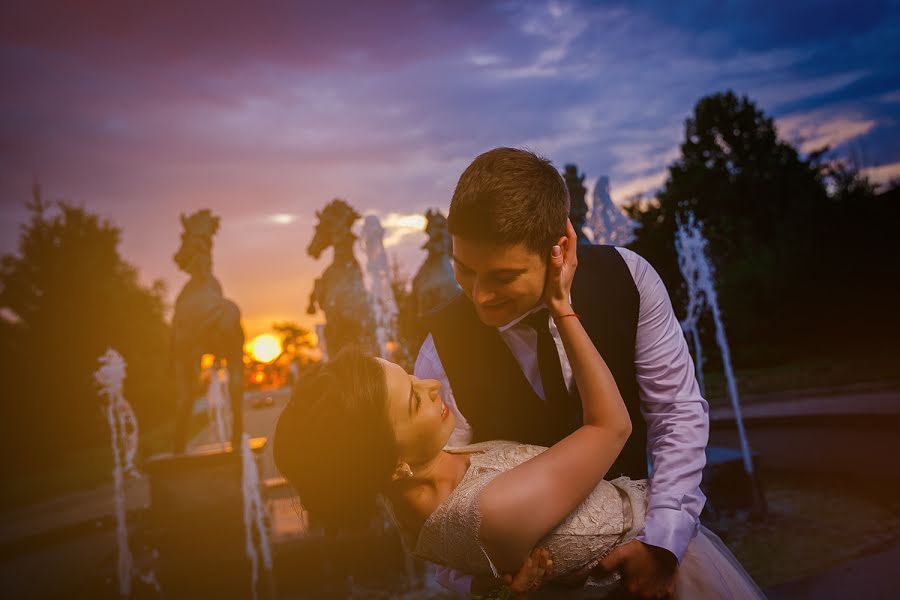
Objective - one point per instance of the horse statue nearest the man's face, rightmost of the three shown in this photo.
(434, 283)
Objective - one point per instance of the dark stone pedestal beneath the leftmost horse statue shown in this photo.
(196, 523)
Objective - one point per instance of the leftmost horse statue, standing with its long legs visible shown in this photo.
(205, 322)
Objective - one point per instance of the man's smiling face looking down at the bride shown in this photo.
(503, 281)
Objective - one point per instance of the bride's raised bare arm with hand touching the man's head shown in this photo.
(524, 504)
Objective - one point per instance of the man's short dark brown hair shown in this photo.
(510, 196)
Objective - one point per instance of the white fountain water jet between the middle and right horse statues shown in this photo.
(381, 295)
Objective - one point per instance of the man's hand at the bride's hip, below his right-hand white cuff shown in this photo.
(647, 571)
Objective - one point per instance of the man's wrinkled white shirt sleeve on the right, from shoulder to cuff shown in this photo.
(676, 414)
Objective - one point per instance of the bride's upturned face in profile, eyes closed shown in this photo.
(422, 422)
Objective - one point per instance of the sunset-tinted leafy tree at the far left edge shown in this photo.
(65, 297)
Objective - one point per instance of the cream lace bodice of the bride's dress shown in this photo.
(610, 516)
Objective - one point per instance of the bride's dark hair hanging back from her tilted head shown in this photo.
(334, 442)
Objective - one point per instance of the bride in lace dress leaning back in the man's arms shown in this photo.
(362, 427)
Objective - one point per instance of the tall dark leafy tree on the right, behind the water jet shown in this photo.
(773, 219)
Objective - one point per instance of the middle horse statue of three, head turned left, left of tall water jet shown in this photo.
(340, 291)
